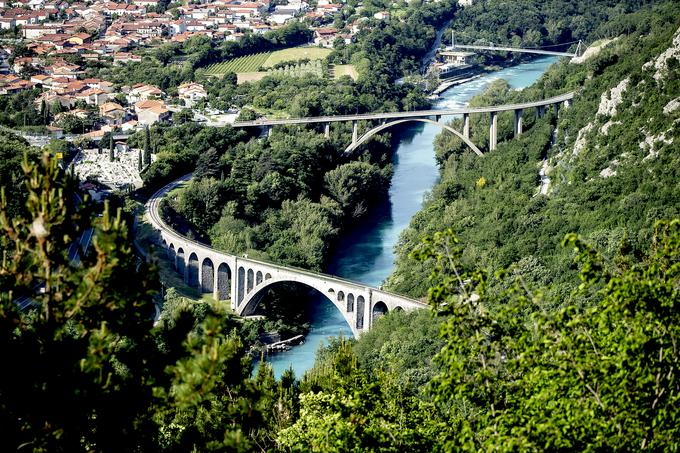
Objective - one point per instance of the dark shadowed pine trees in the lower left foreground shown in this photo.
(86, 369)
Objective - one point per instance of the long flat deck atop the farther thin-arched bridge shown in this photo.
(405, 115)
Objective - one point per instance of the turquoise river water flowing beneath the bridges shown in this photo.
(367, 253)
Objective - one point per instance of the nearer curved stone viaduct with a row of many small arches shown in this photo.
(244, 281)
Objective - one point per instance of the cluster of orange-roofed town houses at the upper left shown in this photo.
(52, 31)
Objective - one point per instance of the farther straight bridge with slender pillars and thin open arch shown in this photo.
(390, 119)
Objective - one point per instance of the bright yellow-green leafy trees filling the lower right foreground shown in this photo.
(513, 375)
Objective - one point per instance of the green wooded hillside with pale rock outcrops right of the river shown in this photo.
(610, 160)
